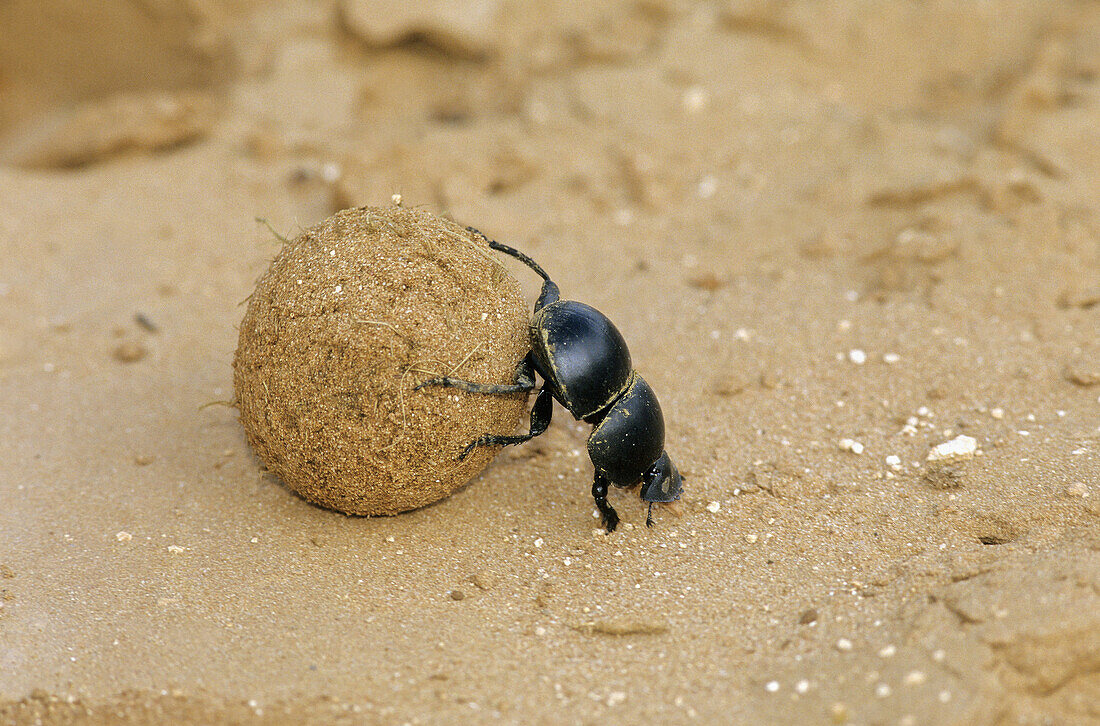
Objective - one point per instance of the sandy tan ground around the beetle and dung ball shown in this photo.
(835, 235)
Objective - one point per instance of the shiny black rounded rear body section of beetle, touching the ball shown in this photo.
(582, 355)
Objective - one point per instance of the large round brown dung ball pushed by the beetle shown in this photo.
(349, 318)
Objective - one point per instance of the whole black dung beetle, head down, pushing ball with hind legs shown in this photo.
(586, 366)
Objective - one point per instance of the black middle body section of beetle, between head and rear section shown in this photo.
(631, 437)
